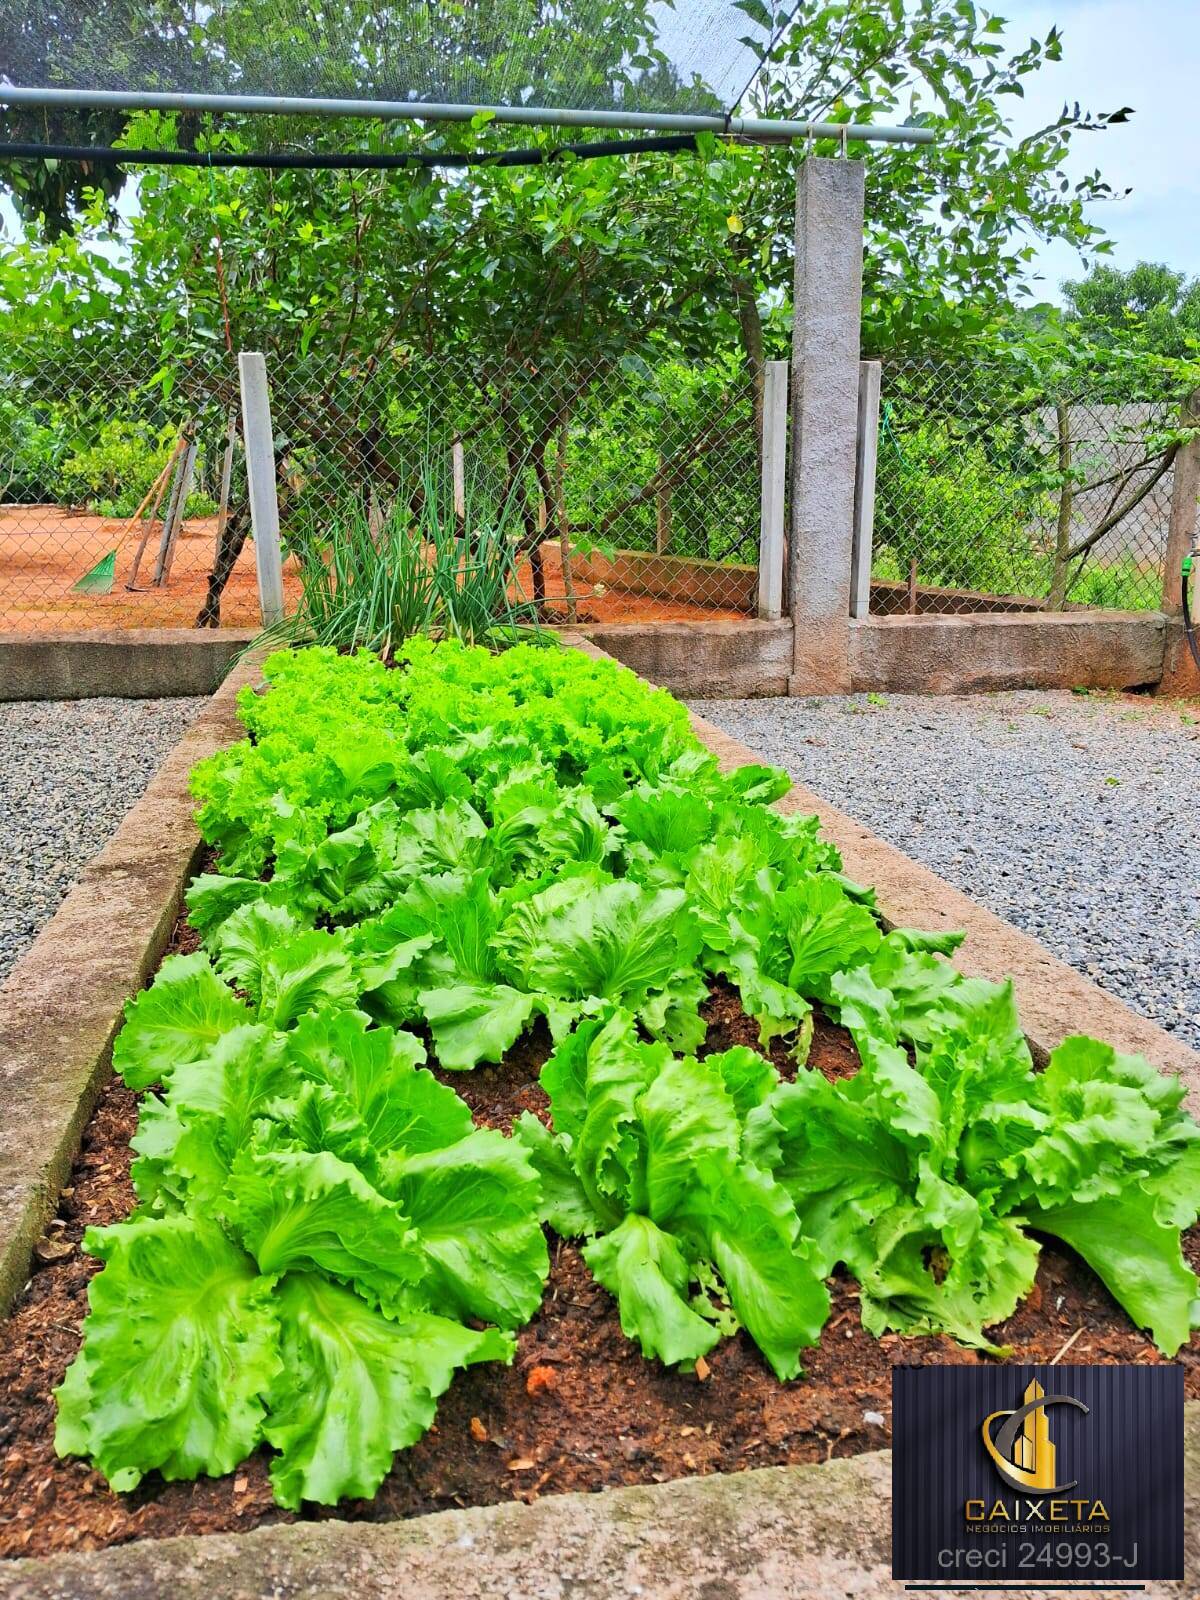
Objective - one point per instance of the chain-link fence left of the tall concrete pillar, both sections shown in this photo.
(626, 490)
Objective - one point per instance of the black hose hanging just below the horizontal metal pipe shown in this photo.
(358, 161)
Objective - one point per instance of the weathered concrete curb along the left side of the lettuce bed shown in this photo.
(62, 1006)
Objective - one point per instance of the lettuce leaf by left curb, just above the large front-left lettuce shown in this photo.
(177, 1020)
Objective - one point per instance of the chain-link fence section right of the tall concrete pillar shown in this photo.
(996, 492)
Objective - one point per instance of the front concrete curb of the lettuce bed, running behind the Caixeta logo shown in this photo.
(780, 1534)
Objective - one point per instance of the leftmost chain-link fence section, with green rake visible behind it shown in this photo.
(111, 479)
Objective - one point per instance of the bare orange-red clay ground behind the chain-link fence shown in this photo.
(46, 551)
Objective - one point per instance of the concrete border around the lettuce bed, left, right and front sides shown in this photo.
(788, 1534)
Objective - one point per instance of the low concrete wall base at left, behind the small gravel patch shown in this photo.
(145, 665)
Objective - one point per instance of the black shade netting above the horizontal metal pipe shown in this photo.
(593, 55)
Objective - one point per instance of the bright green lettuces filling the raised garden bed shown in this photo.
(446, 852)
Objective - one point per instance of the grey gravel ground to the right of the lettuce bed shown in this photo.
(1076, 818)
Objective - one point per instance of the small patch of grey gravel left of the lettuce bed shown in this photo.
(70, 772)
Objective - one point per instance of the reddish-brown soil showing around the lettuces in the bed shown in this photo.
(578, 1410)
